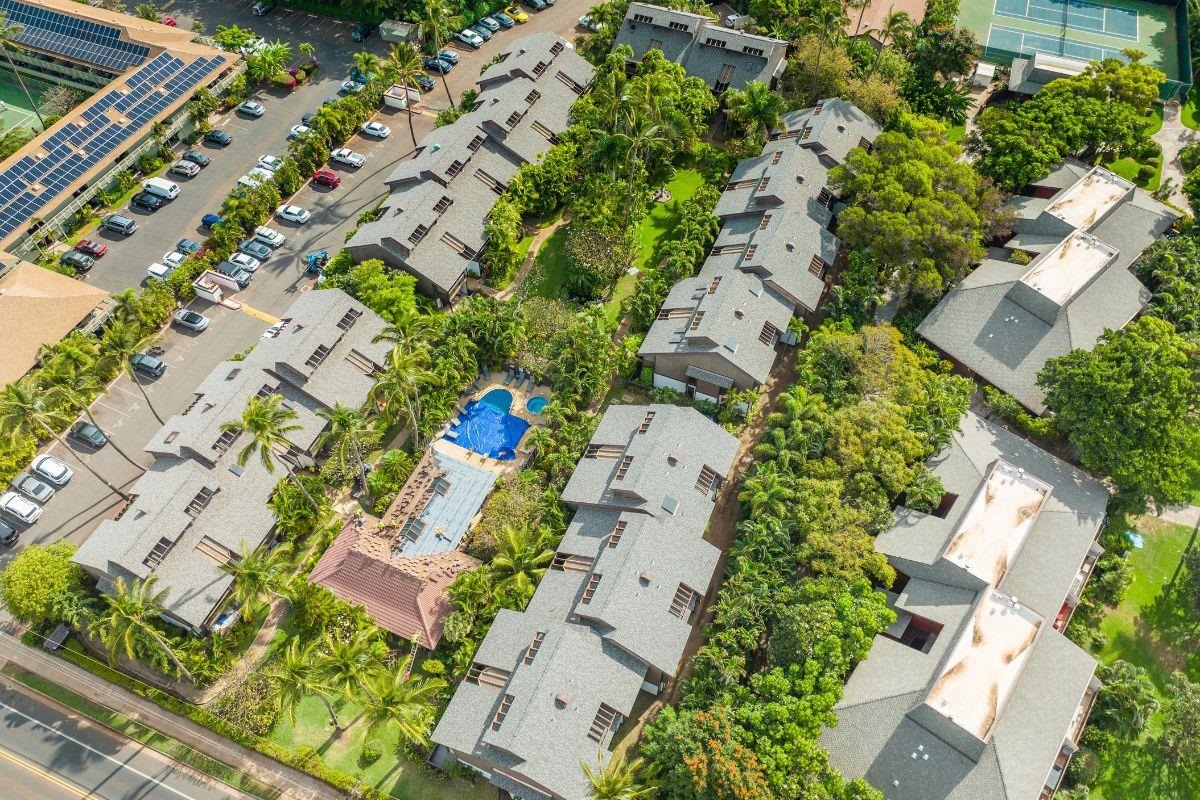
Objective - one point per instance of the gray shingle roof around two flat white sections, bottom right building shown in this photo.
(885, 717)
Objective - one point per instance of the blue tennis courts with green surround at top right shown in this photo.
(1083, 29)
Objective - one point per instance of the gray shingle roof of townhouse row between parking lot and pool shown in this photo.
(188, 563)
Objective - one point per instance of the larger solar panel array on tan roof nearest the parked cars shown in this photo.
(28, 185)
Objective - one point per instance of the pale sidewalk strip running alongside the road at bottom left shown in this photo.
(295, 784)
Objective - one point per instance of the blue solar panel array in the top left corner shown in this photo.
(80, 40)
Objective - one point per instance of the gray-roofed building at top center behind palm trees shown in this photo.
(722, 57)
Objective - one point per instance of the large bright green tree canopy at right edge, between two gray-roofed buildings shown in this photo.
(1130, 406)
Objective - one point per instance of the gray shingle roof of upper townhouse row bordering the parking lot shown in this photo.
(434, 222)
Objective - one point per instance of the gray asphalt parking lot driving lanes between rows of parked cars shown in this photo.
(77, 509)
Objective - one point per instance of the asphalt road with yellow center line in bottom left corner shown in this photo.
(49, 755)
